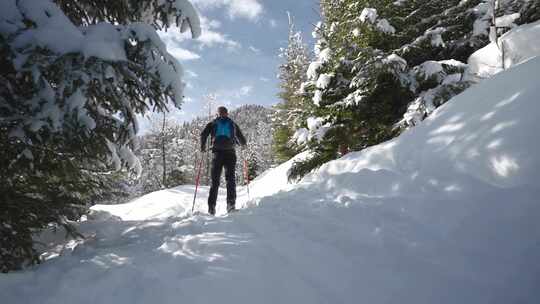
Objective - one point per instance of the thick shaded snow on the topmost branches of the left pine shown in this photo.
(54, 31)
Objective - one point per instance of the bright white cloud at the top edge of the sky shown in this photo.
(249, 9)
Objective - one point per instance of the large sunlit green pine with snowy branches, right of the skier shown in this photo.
(355, 89)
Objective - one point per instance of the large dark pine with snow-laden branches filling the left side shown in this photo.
(73, 76)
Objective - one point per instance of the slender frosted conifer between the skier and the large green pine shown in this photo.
(289, 111)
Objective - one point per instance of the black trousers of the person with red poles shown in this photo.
(222, 159)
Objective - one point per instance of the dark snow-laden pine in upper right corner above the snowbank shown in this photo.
(437, 37)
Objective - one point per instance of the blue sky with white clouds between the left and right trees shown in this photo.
(236, 57)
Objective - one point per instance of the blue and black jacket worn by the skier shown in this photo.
(225, 134)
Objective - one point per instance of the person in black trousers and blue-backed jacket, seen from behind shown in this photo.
(225, 134)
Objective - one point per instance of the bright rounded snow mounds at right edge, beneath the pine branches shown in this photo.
(519, 44)
